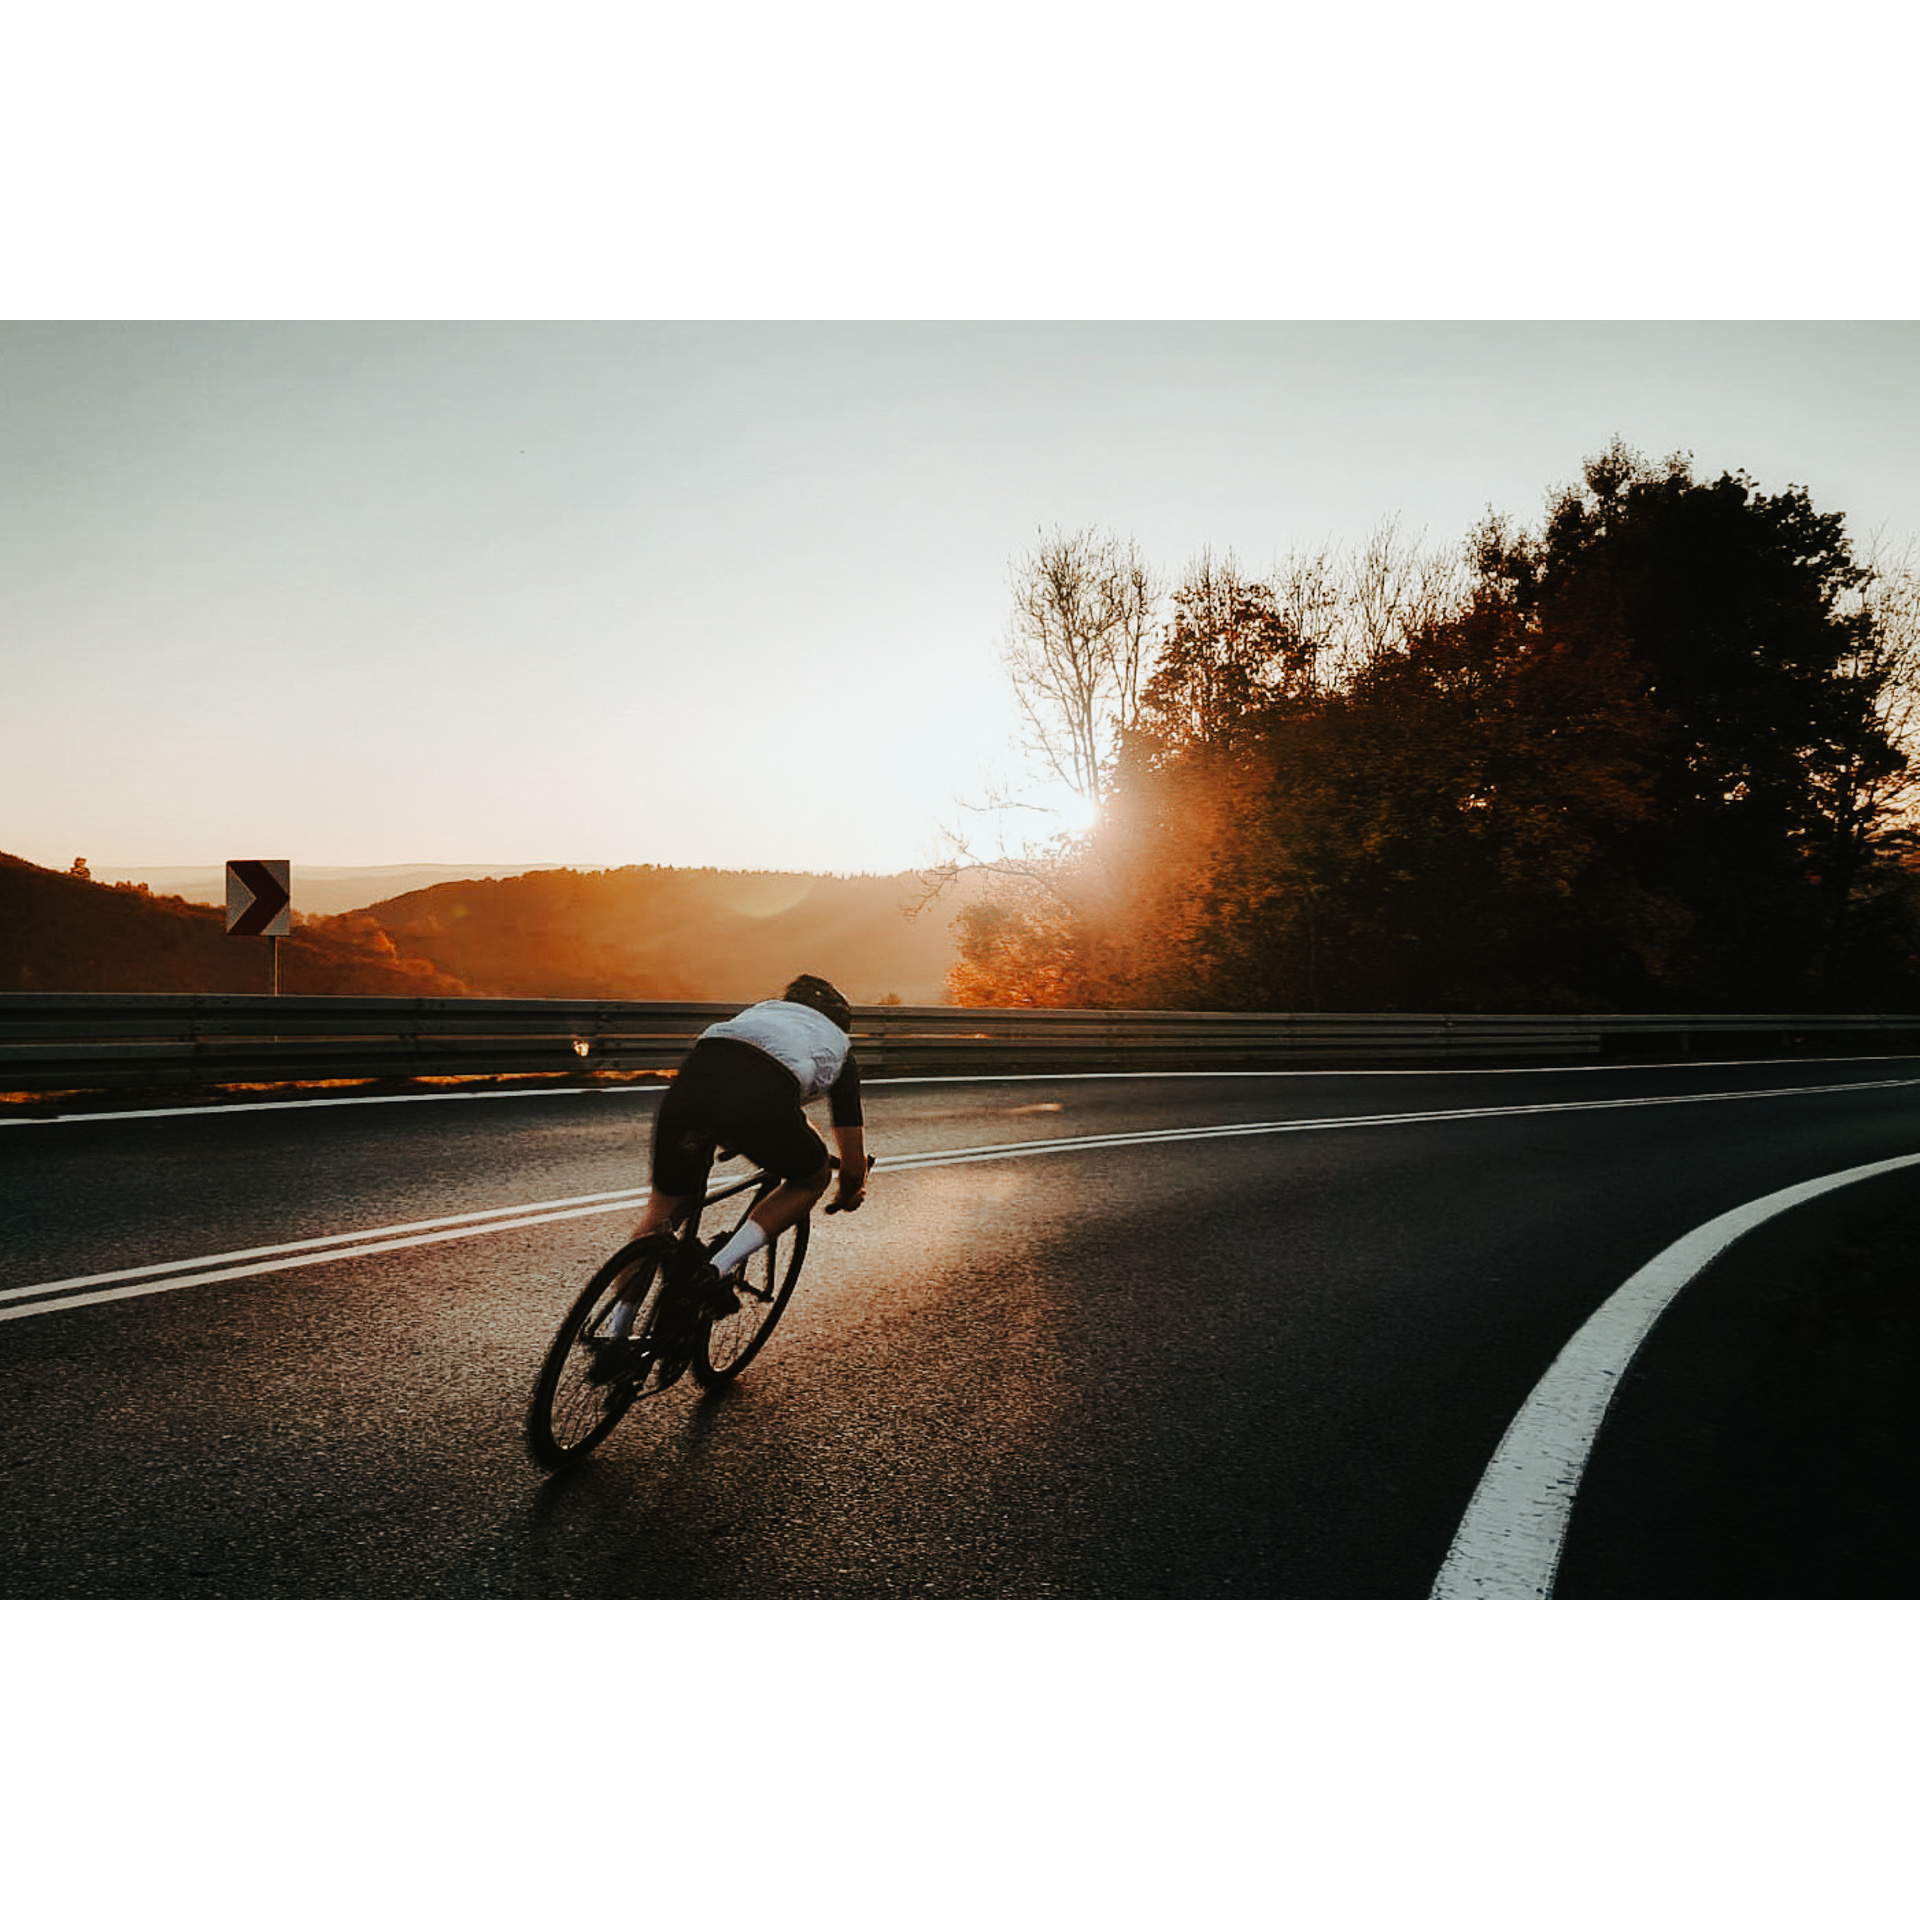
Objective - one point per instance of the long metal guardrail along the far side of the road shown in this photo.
(180, 1040)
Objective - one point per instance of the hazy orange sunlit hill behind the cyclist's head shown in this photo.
(667, 934)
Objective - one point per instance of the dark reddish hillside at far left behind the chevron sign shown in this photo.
(62, 934)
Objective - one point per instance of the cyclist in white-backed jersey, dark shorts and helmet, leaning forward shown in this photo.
(746, 1086)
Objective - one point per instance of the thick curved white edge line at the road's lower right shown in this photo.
(1510, 1541)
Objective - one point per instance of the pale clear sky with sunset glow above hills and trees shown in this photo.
(732, 594)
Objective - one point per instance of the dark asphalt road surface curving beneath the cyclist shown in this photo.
(1212, 1364)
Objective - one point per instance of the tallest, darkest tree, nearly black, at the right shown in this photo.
(1744, 615)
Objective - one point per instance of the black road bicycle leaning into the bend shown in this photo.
(583, 1393)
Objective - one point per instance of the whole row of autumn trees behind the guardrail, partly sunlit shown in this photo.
(1654, 754)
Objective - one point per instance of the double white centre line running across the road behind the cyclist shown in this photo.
(420, 1234)
